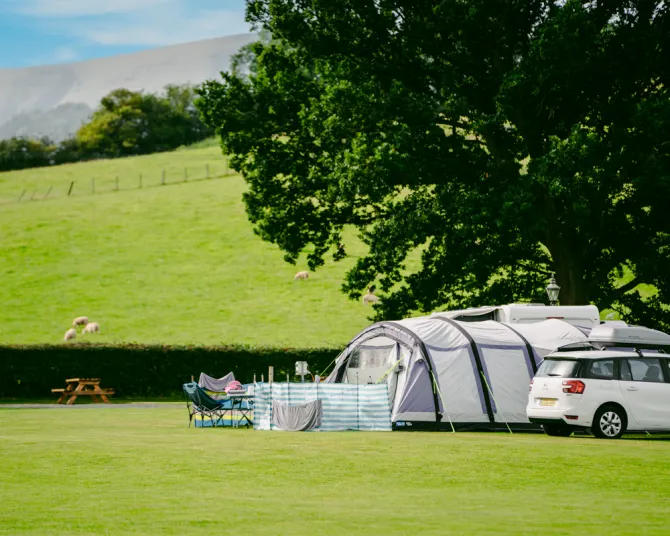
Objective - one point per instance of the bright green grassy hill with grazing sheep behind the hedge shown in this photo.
(163, 264)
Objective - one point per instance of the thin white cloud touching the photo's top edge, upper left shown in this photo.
(81, 8)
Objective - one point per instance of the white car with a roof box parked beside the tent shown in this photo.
(616, 382)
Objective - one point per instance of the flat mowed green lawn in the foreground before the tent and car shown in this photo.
(113, 470)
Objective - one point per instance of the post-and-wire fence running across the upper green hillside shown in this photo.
(116, 183)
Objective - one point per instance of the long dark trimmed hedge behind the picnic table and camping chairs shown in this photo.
(142, 370)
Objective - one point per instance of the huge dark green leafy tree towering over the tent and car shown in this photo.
(501, 139)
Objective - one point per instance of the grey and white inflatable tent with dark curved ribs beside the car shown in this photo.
(442, 373)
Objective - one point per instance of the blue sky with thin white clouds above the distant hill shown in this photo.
(40, 32)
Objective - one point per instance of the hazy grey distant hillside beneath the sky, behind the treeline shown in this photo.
(53, 100)
